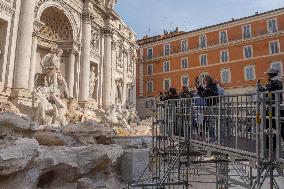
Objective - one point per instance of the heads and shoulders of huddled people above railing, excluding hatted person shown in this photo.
(209, 87)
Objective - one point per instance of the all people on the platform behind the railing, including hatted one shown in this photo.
(211, 88)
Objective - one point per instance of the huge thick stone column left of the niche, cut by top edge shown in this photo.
(24, 44)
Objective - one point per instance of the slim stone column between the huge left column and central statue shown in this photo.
(33, 63)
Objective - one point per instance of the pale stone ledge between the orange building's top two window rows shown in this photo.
(204, 50)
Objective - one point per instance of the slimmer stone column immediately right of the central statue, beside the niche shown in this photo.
(71, 72)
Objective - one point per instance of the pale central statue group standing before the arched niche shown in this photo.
(51, 93)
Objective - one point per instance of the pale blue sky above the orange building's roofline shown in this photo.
(153, 16)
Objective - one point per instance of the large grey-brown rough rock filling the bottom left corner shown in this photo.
(52, 167)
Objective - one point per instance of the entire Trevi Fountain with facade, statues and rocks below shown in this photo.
(67, 96)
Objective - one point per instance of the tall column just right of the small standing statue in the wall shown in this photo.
(107, 68)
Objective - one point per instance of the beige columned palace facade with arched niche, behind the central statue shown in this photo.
(98, 49)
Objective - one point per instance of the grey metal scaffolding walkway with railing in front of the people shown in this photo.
(237, 138)
